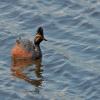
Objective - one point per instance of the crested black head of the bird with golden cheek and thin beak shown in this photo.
(39, 37)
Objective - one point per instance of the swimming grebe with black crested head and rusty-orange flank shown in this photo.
(25, 49)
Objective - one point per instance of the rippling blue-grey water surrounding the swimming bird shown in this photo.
(70, 68)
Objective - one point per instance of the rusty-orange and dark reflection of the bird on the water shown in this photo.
(18, 65)
